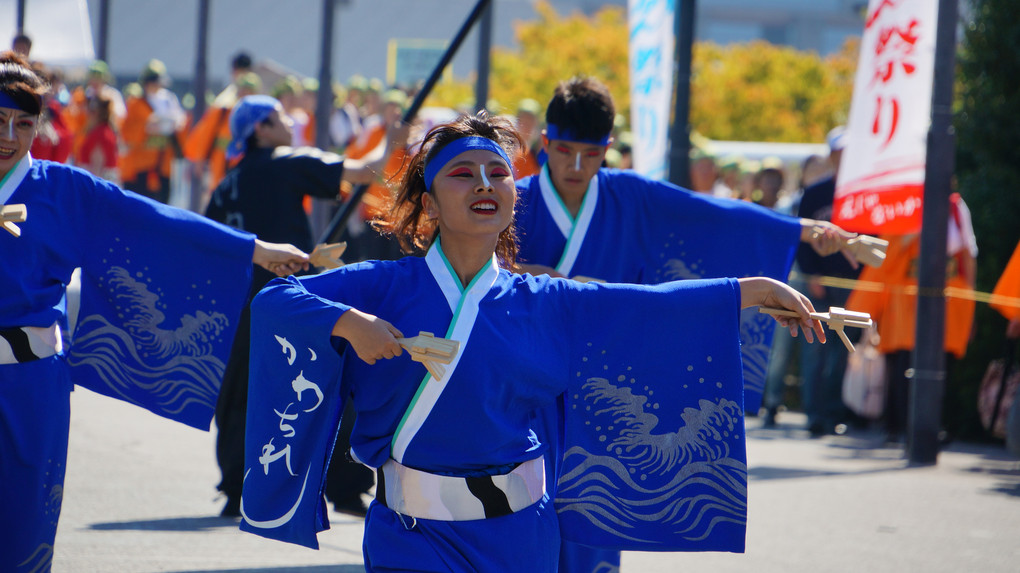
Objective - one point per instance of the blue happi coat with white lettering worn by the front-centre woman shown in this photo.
(658, 461)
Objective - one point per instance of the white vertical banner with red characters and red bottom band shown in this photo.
(882, 175)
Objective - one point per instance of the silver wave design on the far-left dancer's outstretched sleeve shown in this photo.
(175, 368)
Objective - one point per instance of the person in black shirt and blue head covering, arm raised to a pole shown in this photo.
(264, 194)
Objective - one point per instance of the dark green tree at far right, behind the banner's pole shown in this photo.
(989, 137)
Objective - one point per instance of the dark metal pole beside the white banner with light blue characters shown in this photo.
(680, 140)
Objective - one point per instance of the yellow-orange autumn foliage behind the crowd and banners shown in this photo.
(743, 92)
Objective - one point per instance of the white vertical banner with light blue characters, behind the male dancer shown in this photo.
(651, 26)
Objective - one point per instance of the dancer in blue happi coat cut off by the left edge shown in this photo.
(161, 291)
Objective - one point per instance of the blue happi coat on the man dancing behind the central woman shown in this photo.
(635, 230)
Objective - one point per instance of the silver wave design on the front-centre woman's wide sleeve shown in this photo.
(686, 480)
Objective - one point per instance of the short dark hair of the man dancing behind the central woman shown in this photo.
(584, 107)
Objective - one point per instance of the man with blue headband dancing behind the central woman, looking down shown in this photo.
(580, 220)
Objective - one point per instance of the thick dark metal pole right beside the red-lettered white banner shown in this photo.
(928, 384)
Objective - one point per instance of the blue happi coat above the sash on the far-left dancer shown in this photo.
(162, 288)
